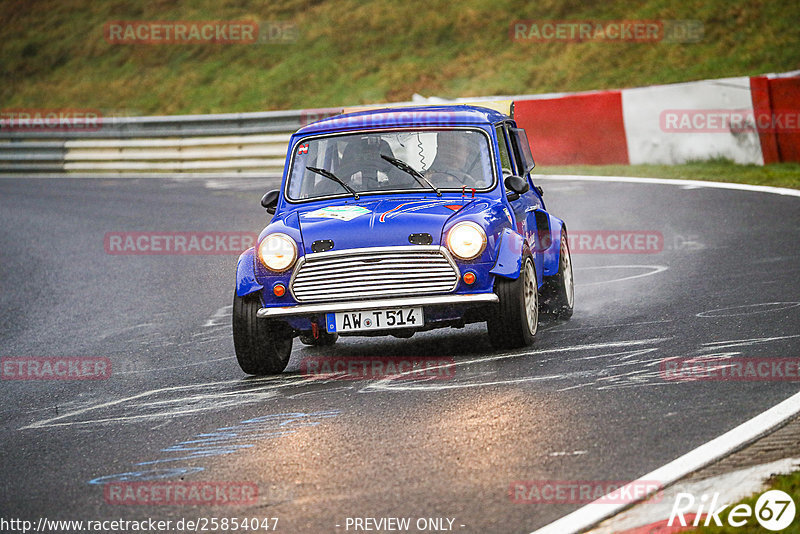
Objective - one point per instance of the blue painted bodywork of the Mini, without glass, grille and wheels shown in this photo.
(389, 218)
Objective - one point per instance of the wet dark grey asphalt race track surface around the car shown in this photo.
(585, 403)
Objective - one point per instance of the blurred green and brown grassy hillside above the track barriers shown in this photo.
(54, 53)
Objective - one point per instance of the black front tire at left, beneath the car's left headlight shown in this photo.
(263, 347)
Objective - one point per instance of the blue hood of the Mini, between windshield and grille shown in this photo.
(374, 223)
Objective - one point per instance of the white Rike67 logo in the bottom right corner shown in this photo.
(774, 510)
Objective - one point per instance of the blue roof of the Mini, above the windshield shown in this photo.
(435, 116)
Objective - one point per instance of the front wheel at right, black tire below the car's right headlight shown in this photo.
(515, 321)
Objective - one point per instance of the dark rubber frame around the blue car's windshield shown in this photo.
(362, 194)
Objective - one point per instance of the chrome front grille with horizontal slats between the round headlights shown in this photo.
(374, 272)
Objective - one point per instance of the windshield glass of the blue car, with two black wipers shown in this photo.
(445, 159)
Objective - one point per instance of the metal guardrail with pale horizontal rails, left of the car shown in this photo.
(234, 144)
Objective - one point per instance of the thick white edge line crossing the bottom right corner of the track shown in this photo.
(591, 514)
